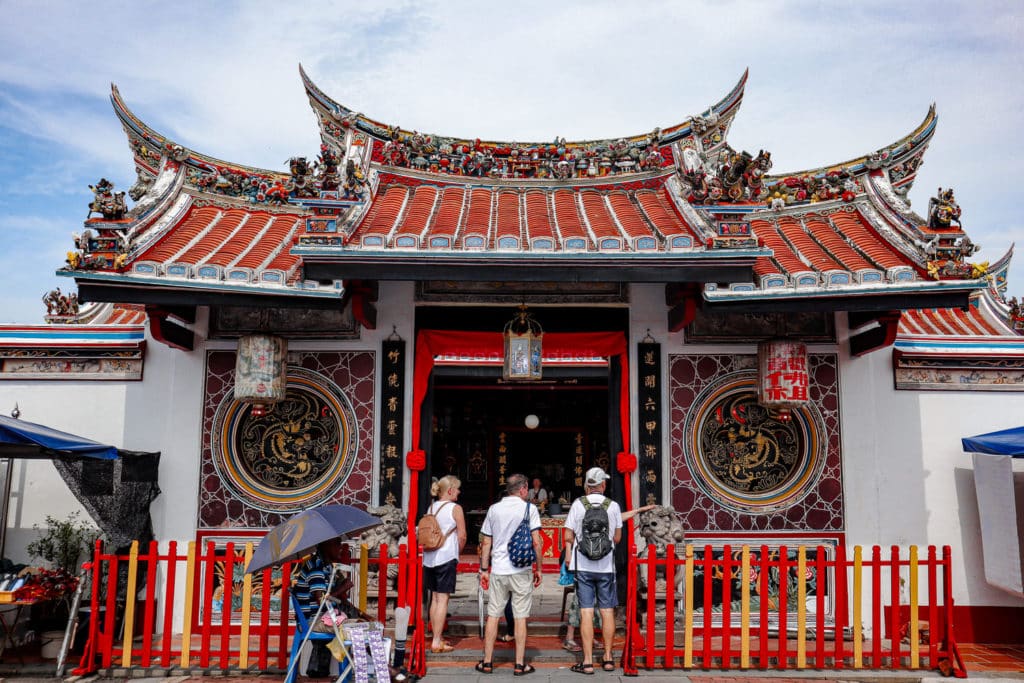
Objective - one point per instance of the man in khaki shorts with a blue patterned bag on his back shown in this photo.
(501, 578)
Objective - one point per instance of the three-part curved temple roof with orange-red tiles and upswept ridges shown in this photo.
(635, 209)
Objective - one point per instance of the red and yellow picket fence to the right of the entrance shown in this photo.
(784, 609)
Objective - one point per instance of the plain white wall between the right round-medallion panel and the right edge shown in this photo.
(907, 479)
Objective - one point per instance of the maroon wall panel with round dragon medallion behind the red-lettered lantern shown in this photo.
(737, 466)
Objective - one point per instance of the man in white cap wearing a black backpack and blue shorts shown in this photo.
(595, 578)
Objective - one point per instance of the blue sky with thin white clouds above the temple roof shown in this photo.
(829, 82)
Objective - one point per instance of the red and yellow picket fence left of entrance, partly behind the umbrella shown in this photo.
(227, 625)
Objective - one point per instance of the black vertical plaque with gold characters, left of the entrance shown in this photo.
(392, 426)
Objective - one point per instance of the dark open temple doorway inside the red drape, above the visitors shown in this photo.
(484, 431)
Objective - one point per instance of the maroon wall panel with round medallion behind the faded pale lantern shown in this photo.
(316, 447)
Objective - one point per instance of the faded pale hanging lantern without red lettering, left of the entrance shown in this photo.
(262, 372)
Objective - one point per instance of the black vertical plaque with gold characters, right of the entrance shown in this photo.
(650, 421)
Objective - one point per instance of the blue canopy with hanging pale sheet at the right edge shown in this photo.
(1001, 507)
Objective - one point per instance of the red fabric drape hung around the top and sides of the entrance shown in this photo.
(431, 344)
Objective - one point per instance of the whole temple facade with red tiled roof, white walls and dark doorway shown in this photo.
(784, 359)
